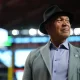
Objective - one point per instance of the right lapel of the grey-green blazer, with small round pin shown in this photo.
(73, 59)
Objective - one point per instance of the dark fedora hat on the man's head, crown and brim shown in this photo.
(51, 12)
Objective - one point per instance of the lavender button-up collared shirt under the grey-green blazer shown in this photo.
(59, 61)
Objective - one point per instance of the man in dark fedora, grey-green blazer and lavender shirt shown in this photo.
(58, 59)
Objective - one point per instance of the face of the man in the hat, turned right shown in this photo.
(60, 27)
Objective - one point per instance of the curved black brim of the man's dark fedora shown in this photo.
(42, 25)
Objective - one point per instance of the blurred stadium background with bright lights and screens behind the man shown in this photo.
(19, 34)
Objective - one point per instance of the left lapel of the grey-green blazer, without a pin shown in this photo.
(45, 52)
